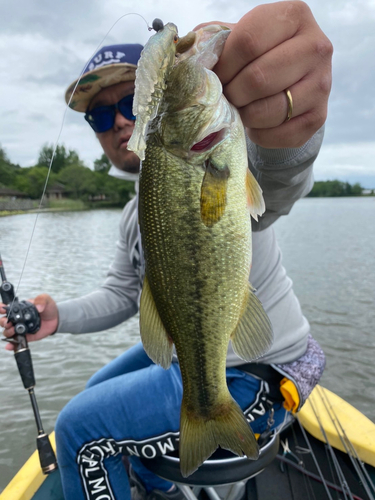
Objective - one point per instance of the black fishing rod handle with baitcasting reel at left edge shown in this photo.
(26, 320)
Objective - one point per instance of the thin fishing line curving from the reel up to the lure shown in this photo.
(58, 138)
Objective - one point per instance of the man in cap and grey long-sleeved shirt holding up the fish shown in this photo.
(132, 406)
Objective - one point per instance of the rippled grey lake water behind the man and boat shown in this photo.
(328, 250)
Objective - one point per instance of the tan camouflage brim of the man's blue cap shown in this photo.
(94, 81)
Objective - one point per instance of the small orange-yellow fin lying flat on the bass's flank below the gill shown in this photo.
(213, 194)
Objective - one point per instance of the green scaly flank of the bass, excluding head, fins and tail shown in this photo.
(193, 270)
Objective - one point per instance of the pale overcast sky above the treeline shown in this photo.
(44, 45)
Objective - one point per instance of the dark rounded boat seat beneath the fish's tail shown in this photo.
(221, 469)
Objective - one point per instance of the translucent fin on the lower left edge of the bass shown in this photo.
(156, 341)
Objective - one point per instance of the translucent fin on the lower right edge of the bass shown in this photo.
(253, 335)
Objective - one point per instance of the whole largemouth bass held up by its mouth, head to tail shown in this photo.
(196, 195)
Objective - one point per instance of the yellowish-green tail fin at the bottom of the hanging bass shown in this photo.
(200, 437)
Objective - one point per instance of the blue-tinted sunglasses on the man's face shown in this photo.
(102, 118)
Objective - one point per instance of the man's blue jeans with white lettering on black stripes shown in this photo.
(130, 406)
